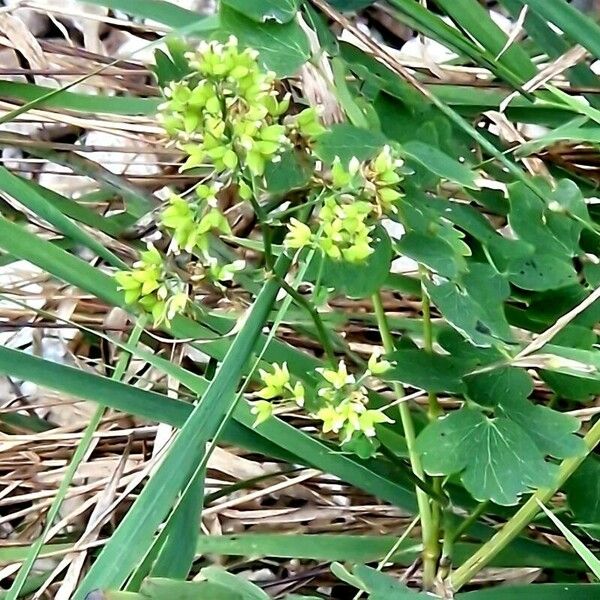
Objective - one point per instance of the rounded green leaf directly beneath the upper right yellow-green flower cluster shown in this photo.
(360, 280)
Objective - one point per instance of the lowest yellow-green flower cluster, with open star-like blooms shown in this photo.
(340, 404)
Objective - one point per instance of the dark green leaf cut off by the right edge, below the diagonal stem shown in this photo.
(583, 496)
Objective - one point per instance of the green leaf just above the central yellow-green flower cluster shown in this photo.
(347, 141)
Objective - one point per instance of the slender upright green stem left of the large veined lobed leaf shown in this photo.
(429, 558)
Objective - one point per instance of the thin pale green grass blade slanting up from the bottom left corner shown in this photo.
(78, 456)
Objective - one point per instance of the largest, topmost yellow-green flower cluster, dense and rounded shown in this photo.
(228, 112)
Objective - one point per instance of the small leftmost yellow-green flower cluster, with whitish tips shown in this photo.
(150, 286)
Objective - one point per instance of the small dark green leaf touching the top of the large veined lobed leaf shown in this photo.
(491, 388)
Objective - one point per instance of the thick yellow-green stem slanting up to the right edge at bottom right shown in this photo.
(522, 517)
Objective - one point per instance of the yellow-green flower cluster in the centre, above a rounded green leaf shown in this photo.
(357, 195)
